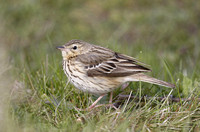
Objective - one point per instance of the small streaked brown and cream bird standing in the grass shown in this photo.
(98, 70)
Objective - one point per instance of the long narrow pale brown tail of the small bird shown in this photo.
(145, 78)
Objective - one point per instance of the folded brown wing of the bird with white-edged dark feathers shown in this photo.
(104, 62)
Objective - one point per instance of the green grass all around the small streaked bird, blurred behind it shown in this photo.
(163, 34)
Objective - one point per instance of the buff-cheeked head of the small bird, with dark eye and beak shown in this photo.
(74, 48)
